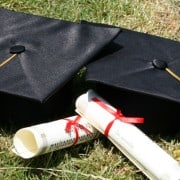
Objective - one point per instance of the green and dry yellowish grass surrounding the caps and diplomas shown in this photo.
(97, 159)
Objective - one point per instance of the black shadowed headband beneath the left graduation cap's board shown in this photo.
(18, 112)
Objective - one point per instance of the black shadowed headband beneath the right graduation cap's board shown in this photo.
(160, 116)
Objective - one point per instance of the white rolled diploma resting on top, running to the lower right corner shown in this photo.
(154, 162)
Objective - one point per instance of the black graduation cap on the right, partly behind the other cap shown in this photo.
(140, 74)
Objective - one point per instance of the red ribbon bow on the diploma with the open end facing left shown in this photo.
(76, 125)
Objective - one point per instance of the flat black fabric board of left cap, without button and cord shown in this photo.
(54, 50)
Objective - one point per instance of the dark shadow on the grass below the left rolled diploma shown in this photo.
(58, 161)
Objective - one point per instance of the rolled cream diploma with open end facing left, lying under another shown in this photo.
(47, 137)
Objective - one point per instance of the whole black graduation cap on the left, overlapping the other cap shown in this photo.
(38, 59)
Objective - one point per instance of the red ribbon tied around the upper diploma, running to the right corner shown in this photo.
(117, 116)
